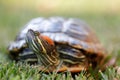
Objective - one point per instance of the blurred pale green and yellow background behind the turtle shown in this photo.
(102, 15)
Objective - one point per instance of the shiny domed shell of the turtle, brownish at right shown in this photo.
(70, 32)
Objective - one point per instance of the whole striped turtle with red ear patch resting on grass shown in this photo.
(57, 43)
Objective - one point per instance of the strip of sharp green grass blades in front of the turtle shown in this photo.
(20, 71)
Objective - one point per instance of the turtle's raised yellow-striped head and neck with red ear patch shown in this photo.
(43, 47)
